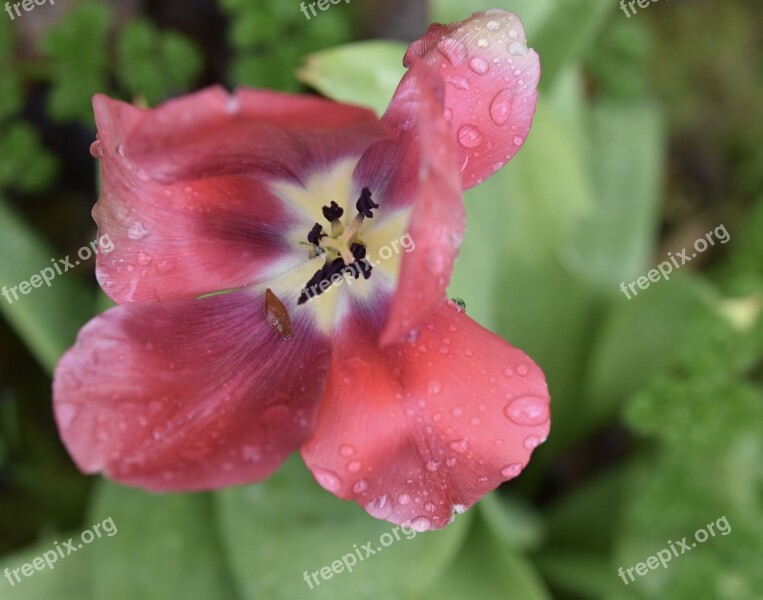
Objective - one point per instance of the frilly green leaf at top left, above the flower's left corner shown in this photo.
(77, 48)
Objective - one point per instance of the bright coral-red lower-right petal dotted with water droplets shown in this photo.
(419, 431)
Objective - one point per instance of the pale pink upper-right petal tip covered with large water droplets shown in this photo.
(491, 87)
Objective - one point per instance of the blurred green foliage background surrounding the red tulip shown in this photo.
(635, 118)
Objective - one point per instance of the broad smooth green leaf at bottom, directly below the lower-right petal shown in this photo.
(287, 526)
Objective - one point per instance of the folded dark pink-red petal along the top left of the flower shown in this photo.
(258, 133)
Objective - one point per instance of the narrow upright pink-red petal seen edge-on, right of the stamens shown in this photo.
(419, 168)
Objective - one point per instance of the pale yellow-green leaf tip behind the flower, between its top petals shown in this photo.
(364, 73)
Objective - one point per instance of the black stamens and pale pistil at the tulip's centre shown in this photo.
(343, 250)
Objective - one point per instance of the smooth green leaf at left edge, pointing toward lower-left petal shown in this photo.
(48, 318)
